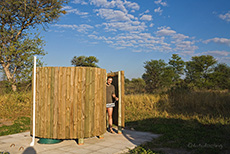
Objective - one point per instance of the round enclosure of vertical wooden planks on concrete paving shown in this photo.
(71, 102)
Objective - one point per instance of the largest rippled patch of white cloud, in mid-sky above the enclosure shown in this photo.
(122, 29)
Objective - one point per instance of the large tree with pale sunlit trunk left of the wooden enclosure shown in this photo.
(16, 45)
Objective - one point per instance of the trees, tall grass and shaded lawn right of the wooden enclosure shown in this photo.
(186, 102)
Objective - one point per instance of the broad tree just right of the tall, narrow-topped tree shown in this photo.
(198, 69)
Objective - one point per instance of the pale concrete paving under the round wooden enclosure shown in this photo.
(111, 144)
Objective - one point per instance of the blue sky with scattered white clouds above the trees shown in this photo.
(123, 34)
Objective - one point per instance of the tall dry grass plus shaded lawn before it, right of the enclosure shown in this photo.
(195, 121)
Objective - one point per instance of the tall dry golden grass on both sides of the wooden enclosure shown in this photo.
(205, 106)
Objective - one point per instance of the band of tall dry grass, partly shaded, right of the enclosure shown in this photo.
(204, 106)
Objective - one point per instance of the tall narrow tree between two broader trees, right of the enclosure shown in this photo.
(177, 65)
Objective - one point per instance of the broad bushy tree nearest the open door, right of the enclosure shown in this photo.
(157, 75)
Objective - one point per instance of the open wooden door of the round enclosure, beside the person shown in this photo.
(119, 109)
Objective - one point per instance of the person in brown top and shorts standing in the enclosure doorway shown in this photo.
(110, 94)
